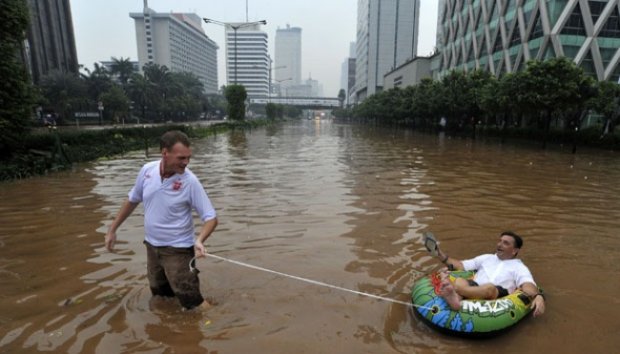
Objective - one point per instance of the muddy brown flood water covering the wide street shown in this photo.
(342, 205)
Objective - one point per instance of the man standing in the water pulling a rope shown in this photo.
(170, 192)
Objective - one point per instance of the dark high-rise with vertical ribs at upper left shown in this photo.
(50, 43)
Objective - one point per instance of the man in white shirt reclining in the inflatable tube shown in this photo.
(497, 275)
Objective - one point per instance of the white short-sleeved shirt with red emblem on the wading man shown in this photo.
(168, 205)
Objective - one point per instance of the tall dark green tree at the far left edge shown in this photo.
(17, 95)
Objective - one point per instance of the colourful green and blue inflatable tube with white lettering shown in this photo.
(476, 318)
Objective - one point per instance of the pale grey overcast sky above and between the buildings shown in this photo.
(103, 29)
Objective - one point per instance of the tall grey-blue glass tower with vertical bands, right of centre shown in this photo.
(387, 36)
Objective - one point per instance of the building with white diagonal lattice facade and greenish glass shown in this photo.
(501, 36)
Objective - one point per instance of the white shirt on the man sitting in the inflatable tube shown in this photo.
(509, 274)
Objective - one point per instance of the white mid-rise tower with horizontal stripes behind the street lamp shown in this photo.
(247, 59)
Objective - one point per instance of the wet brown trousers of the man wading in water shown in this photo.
(169, 274)
